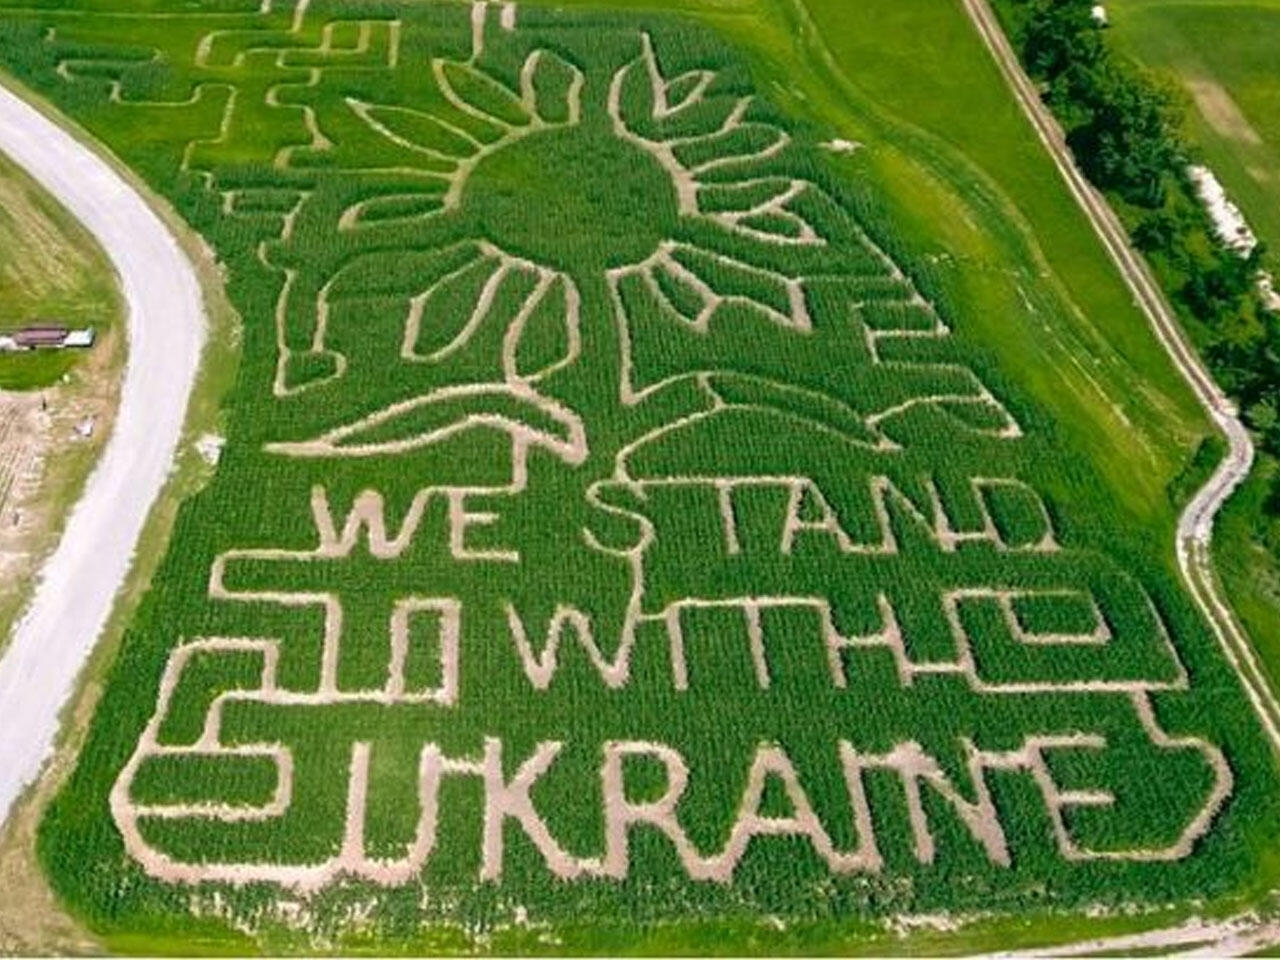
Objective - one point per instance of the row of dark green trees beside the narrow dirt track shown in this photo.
(1126, 129)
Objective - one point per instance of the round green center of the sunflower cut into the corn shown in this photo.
(575, 199)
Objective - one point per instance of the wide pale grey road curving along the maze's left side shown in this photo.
(166, 336)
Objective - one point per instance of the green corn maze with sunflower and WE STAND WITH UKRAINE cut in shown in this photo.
(614, 527)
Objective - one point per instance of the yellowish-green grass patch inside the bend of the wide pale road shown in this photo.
(49, 268)
